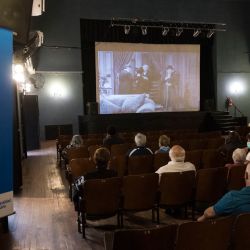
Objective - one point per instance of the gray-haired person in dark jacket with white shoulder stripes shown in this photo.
(140, 149)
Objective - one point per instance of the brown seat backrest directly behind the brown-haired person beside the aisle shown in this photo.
(102, 196)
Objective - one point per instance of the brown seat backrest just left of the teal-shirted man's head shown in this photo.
(236, 177)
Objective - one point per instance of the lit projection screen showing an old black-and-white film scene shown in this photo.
(139, 78)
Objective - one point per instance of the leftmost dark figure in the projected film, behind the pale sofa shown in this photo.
(126, 79)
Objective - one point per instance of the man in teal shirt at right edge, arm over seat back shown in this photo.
(233, 202)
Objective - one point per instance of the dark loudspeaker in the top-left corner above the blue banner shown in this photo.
(15, 15)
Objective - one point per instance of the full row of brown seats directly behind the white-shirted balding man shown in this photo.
(105, 197)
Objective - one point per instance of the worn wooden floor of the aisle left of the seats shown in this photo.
(45, 218)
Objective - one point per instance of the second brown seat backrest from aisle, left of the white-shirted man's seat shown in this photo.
(140, 191)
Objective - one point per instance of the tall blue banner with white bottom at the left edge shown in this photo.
(6, 123)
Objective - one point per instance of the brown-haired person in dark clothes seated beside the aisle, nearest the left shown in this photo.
(101, 159)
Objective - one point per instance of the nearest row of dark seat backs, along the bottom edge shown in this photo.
(228, 233)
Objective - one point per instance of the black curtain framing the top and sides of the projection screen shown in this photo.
(101, 31)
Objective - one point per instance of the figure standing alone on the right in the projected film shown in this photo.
(170, 85)
